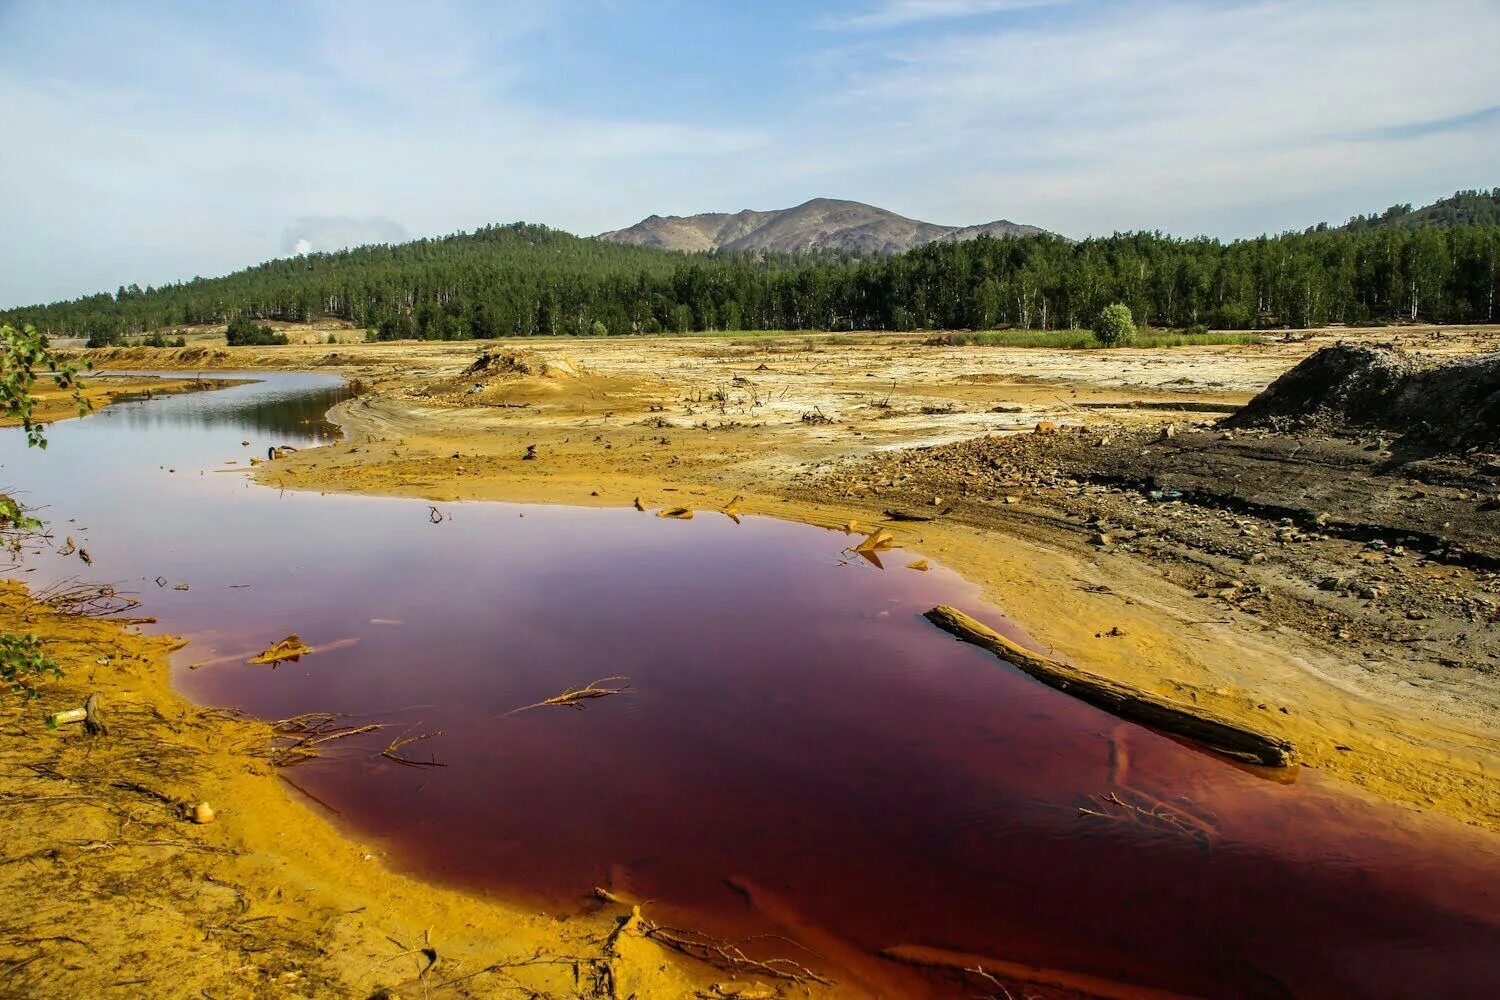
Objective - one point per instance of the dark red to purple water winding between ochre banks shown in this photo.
(793, 729)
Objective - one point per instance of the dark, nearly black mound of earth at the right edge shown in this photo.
(1454, 406)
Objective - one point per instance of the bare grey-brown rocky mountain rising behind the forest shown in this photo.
(823, 224)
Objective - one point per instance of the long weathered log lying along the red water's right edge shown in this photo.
(1180, 720)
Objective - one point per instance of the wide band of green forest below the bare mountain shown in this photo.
(526, 280)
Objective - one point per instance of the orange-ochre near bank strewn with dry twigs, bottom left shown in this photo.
(110, 891)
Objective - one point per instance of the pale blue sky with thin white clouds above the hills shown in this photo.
(157, 142)
